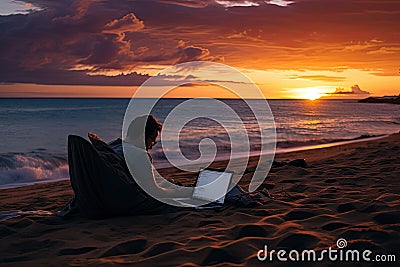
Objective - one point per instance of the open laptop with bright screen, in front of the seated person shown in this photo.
(208, 196)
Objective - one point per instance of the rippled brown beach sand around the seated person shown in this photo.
(350, 191)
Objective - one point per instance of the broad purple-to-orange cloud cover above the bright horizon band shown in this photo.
(75, 37)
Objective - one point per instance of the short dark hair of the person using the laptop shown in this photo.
(135, 129)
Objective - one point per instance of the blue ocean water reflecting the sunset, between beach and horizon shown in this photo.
(34, 132)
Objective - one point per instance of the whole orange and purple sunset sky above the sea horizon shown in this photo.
(290, 49)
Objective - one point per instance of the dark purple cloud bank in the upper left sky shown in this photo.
(72, 42)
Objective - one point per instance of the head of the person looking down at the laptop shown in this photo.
(151, 128)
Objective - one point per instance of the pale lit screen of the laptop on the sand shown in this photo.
(212, 185)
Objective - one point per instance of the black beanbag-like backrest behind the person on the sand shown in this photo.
(102, 183)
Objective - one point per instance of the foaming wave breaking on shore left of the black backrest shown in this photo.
(31, 167)
